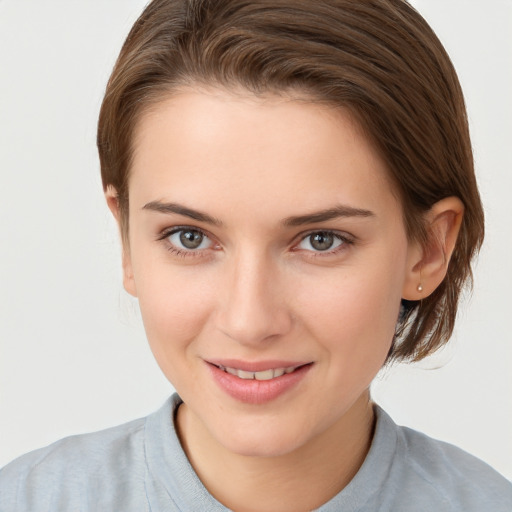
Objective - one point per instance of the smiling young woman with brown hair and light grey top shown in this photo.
(296, 198)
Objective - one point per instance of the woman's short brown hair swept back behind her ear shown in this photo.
(377, 58)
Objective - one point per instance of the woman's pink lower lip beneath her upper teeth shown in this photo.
(252, 391)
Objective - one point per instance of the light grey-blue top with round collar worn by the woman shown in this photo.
(140, 466)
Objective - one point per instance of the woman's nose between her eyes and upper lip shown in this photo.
(253, 305)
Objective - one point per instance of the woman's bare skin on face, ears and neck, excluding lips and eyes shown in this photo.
(257, 289)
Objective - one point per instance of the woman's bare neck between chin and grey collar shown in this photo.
(301, 480)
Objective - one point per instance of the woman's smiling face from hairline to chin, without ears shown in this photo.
(268, 254)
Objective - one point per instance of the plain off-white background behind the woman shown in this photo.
(73, 355)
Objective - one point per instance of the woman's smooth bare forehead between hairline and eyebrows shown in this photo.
(225, 148)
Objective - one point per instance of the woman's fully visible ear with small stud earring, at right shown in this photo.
(428, 264)
